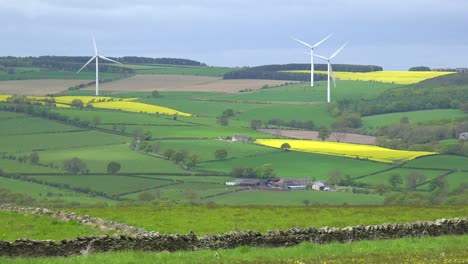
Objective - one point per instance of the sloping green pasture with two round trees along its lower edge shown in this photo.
(98, 157)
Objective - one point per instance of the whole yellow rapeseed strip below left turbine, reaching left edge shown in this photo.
(124, 104)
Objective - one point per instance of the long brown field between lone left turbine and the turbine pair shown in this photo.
(189, 83)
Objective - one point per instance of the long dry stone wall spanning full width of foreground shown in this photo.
(157, 242)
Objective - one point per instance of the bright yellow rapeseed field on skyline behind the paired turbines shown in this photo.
(399, 77)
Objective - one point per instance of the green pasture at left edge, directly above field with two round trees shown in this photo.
(66, 140)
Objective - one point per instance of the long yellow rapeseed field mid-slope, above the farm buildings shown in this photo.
(345, 149)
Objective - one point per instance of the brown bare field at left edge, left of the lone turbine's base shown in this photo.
(37, 87)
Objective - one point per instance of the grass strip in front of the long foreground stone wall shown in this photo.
(446, 249)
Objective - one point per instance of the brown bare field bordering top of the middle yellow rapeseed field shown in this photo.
(313, 135)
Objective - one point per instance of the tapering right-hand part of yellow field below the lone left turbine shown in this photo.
(138, 107)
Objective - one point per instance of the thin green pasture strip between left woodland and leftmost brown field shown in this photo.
(65, 75)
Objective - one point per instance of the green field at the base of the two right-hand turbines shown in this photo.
(306, 93)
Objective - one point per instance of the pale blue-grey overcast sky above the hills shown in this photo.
(395, 34)
